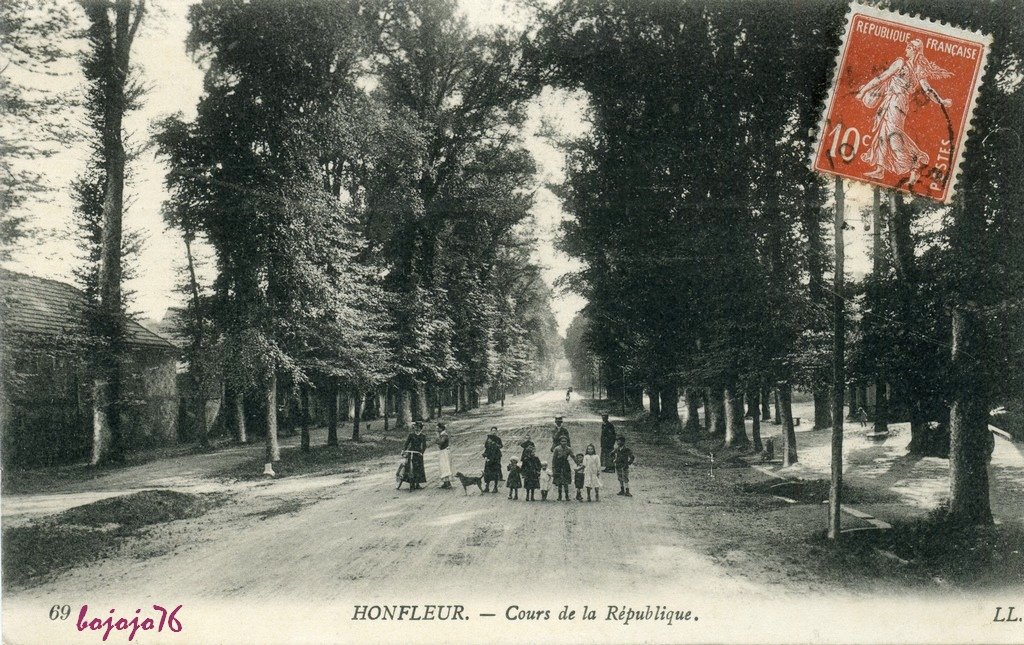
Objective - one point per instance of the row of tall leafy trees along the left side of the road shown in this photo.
(359, 171)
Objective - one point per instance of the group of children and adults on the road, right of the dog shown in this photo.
(582, 470)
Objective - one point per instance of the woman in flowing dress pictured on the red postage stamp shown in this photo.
(891, 148)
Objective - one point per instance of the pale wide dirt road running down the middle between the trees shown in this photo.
(357, 535)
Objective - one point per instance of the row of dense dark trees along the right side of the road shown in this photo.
(701, 228)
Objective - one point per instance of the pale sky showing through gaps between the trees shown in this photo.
(175, 87)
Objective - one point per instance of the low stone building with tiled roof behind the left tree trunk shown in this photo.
(46, 402)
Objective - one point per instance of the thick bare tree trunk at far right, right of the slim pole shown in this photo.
(971, 443)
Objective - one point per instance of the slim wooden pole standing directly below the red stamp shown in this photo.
(839, 342)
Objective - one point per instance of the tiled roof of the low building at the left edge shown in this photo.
(38, 306)
